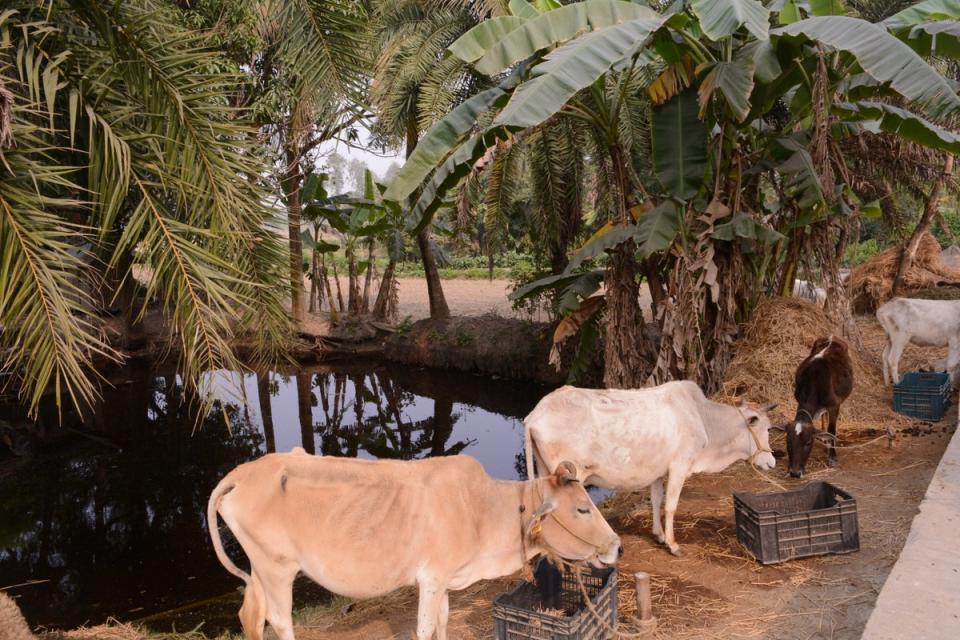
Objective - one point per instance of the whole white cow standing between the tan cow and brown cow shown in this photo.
(631, 439)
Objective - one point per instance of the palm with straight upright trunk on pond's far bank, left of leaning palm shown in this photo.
(311, 66)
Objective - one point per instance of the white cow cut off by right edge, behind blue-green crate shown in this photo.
(934, 323)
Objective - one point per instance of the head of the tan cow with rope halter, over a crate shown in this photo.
(567, 522)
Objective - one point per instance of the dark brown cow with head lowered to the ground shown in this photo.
(822, 382)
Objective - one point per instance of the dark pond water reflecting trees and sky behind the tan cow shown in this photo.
(103, 515)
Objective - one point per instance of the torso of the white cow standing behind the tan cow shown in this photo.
(619, 438)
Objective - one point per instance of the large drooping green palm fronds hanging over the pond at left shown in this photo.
(120, 146)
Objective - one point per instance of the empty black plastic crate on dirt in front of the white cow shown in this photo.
(816, 519)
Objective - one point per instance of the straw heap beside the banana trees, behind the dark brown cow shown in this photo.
(779, 337)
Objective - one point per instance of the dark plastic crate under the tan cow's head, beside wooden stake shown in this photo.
(527, 612)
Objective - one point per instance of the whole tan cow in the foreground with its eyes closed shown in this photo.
(363, 528)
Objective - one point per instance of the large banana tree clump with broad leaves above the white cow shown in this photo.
(738, 177)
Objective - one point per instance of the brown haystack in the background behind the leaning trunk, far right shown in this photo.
(871, 283)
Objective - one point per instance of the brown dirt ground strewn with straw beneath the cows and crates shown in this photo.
(716, 590)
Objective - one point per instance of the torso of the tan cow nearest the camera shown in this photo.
(358, 527)
